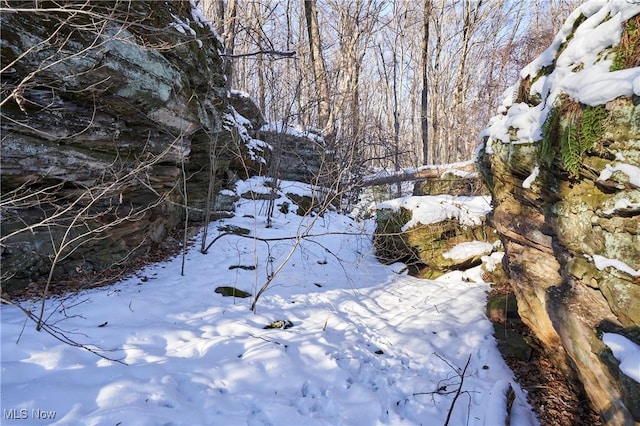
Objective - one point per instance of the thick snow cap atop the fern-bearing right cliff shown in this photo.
(582, 71)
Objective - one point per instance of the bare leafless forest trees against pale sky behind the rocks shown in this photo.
(391, 84)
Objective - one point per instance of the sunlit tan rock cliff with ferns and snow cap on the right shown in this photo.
(562, 160)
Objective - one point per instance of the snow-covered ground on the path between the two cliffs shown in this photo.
(368, 345)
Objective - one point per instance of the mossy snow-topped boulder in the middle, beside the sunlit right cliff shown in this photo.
(454, 236)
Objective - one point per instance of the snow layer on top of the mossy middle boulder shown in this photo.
(468, 210)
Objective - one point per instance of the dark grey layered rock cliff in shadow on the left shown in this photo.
(114, 118)
